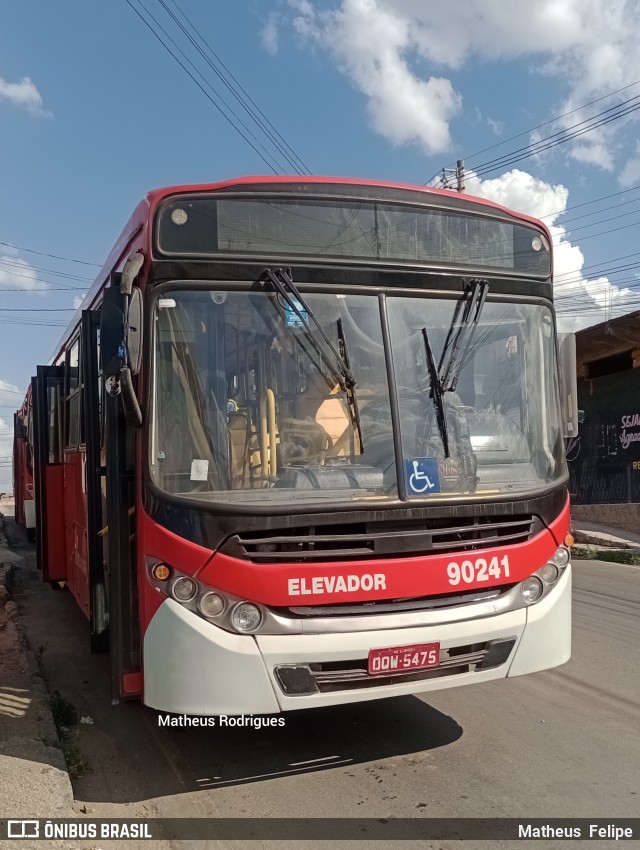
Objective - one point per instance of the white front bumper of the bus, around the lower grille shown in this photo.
(193, 667)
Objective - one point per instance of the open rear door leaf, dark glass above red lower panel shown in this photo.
(48, 394)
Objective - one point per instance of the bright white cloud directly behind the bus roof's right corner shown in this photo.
(580, 300)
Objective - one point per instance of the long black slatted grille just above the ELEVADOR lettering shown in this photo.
(361, 541)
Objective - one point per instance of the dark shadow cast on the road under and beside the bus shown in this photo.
(130, 757)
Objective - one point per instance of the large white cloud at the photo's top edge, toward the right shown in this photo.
(383, 46)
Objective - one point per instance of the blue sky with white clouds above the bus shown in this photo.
(540, 100)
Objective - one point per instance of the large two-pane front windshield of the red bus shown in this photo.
(245, 412)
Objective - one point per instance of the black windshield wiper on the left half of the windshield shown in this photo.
(336, 362)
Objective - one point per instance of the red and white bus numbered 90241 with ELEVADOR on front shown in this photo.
(302, 445)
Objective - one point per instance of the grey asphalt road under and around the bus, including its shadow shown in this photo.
(565, 743)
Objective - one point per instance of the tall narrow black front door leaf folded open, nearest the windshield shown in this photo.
(95, 483)
